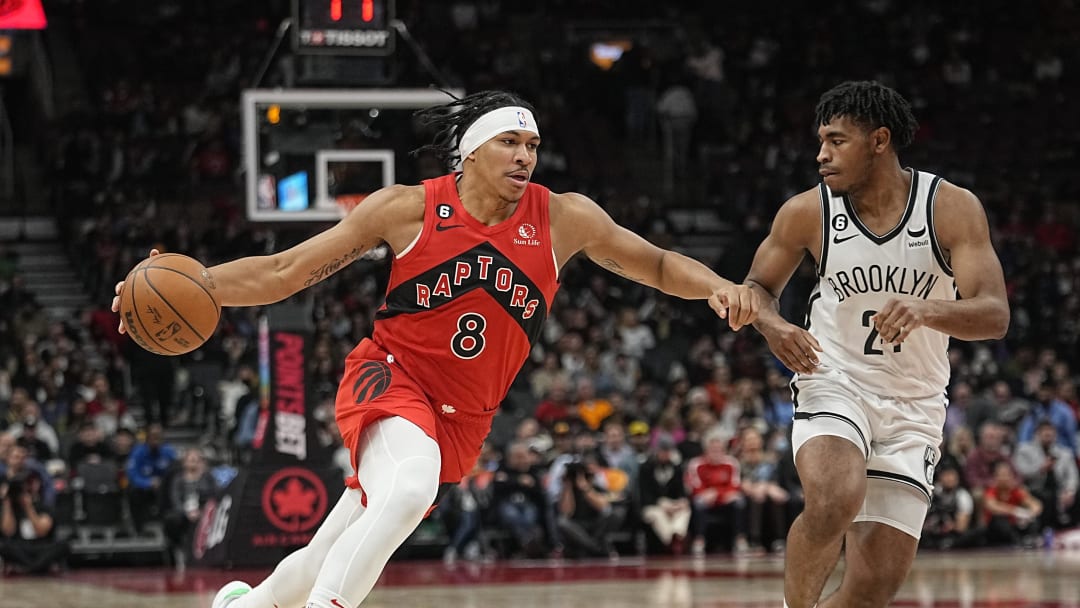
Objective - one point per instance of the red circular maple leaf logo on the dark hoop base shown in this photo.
(294, 499)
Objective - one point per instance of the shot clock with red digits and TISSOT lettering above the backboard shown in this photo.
(344, 28)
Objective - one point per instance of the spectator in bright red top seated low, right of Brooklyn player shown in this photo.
(1010, 512)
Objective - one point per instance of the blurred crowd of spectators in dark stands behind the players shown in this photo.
(641, 424)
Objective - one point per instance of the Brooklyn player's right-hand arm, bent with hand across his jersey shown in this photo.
(982, 313)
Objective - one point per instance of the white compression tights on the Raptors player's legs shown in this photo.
(399, 467)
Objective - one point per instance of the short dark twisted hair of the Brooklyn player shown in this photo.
(871, 105)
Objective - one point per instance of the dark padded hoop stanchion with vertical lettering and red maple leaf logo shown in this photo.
(275, 506)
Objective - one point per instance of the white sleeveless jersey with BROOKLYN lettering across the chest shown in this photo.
(859, 273)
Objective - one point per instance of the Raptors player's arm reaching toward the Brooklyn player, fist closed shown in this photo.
(583, 226)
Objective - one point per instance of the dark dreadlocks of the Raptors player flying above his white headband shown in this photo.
(450, 121)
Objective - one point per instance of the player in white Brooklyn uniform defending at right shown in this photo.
(895, 249)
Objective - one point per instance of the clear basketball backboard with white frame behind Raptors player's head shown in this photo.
(314, 155)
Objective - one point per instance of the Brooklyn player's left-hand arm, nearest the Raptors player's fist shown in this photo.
(776, 261)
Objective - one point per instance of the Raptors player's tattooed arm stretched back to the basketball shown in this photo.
(263, 280)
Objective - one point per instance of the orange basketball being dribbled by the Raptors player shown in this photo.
(168, 305)
